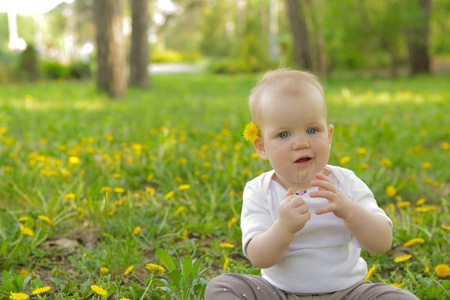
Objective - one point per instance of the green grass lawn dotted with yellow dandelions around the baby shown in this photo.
(177, 155)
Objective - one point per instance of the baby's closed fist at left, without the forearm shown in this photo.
(293, 213)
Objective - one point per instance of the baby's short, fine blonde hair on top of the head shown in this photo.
(281, 81)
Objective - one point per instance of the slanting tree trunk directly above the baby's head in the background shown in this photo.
(302, 52)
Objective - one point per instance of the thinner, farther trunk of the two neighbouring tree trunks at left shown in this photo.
(139, 44)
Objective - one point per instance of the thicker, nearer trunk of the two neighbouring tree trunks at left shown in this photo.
(111, 58)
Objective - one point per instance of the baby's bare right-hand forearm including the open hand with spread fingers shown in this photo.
(372, 231)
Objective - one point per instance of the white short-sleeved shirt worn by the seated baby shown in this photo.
(323, 257)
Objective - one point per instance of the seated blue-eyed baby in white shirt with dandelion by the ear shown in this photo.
(304, 222)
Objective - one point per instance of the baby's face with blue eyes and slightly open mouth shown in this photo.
(295, 135)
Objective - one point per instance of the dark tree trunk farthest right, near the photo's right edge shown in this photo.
(417, 40)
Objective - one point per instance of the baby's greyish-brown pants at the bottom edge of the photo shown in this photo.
(251, 287)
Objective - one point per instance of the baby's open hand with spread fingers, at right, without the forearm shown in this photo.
(338, 202)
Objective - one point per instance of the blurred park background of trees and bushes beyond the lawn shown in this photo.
(56, 39)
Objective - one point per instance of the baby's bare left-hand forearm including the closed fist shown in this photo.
(268, 248)
